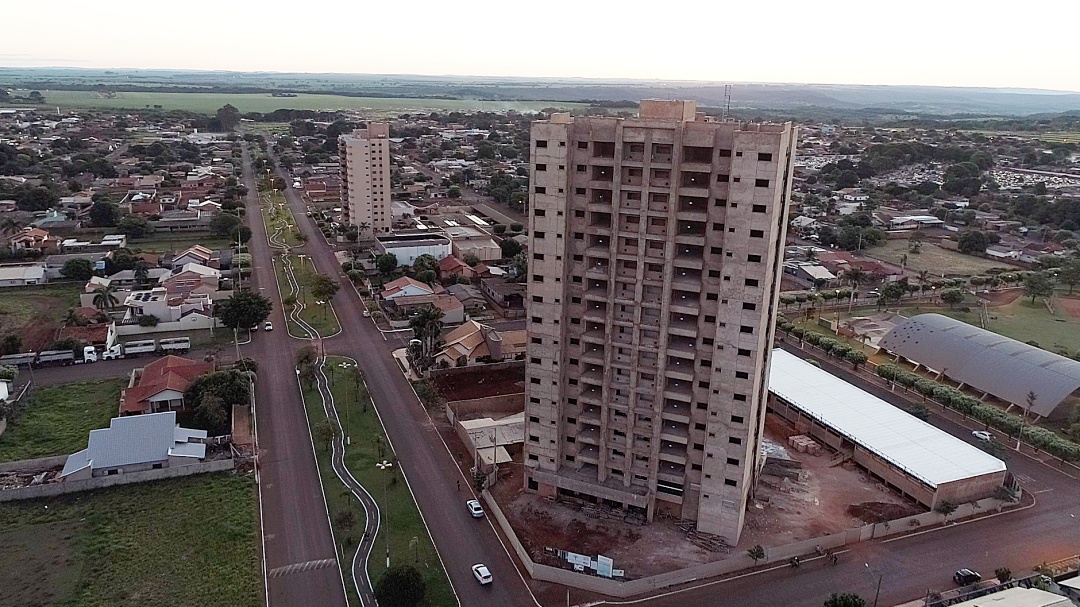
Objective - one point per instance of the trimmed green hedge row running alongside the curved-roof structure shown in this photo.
(990, 415)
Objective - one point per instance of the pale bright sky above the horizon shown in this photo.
(940, 43)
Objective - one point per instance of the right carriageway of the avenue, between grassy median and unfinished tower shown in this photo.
(430, 469)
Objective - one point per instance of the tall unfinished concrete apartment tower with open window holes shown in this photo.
(655, 246)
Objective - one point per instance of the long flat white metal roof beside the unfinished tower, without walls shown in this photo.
(902, 440)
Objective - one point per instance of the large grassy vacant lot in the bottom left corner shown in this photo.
(182, 542)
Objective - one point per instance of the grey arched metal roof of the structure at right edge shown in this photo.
(987, 361)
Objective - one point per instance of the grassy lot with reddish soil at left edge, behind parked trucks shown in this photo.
(36, 314)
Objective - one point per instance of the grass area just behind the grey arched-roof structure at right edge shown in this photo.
(1022, 321)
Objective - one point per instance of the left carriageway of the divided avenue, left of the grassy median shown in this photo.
(298, 533)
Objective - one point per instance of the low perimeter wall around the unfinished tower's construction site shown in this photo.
(733, 564)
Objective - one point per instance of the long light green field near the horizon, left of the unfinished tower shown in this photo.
(209, 103)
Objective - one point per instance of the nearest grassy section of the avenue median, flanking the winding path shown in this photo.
(409, 537)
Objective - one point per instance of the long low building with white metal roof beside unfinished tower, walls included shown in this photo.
(913, 456)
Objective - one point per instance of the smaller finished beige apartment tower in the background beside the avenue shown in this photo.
(366, 179)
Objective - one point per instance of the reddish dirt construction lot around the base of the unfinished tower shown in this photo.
(826, 500)
